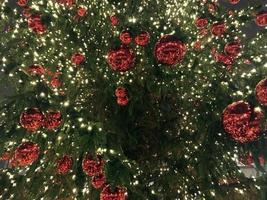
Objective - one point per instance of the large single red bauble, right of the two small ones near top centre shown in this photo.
(169, 50)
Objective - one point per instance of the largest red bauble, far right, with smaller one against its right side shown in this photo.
(241, 122)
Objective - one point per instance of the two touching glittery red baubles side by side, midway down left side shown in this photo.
(32, 119)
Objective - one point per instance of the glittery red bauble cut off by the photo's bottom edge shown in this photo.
(119, 193)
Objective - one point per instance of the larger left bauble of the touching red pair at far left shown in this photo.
(31, 119)
